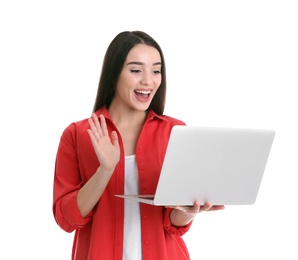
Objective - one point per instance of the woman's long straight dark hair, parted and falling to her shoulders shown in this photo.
(112, 65)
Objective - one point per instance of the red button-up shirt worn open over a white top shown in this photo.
(100, 234)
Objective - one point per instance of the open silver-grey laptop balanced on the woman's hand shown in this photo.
(220, 165)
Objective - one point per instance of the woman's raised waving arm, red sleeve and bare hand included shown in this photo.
(73, 201)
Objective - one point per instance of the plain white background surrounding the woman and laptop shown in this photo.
(229, 63)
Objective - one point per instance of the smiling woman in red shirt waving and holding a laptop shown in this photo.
(120, 149)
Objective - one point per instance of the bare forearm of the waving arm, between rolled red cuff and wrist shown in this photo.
(91, 192)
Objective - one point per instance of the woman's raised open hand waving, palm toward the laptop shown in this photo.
(106, 148)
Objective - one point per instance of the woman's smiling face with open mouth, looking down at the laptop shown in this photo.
(139, 79)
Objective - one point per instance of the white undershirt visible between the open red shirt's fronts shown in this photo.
(132, 247)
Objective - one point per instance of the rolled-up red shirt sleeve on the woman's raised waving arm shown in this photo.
(67, 183)
